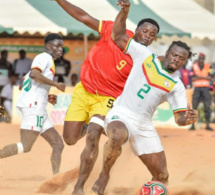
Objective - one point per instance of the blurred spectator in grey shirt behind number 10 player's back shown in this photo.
(22, 65)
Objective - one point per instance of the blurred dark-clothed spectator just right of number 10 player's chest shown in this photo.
(62, 68)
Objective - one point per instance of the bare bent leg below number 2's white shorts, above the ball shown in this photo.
(156, 164)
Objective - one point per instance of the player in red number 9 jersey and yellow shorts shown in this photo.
(103, 77)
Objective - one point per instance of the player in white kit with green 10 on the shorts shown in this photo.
(33, 100)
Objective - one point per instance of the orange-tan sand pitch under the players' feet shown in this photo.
(190, 158)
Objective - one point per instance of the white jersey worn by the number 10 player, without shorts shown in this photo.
(34, 94)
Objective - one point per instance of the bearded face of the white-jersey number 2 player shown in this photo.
(175, 58)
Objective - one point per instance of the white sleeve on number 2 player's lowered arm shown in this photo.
(178, 98)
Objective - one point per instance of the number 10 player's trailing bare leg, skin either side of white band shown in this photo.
(27, 139)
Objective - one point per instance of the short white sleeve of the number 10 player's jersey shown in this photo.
(40, 62)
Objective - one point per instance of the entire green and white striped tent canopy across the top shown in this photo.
(176, 17)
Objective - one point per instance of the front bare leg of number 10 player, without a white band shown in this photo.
(56, 142)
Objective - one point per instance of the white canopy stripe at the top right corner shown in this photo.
(186, 15)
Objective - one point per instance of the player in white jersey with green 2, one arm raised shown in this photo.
(150, 83)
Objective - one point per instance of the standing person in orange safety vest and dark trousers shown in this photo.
(201, 82)
